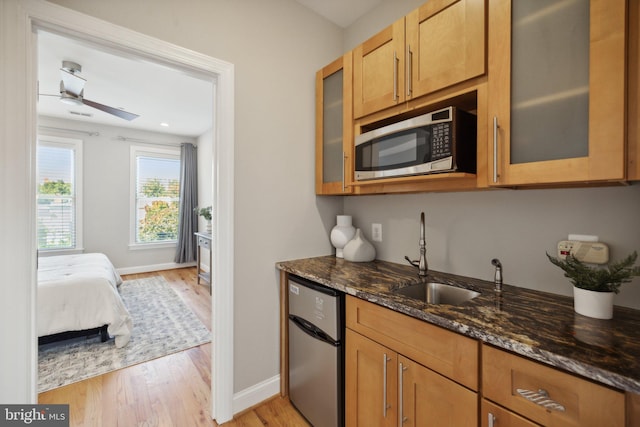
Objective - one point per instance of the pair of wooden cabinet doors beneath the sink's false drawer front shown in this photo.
(384, 388)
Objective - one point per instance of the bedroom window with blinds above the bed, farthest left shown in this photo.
(59, 191)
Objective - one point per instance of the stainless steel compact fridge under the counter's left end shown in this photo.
(316, 352)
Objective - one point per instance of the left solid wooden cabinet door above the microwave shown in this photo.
(378, 71)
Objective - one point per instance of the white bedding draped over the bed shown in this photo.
(77, 292)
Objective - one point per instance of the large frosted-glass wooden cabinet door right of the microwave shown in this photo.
(556, 91)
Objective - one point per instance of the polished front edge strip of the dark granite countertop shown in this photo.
(552, 359)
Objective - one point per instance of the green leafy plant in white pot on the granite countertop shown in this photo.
(595, 286)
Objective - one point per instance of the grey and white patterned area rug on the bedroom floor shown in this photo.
(162, 325)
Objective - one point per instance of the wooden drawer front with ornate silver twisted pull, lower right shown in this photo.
(507, 378)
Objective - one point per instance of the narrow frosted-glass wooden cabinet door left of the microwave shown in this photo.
(334, 130)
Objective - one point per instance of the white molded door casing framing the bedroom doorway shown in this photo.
(20, 21)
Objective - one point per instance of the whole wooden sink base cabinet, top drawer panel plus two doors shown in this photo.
(384, 387)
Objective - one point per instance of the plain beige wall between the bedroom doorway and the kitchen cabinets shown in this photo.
(276, 47)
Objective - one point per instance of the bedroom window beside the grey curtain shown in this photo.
(155, 195)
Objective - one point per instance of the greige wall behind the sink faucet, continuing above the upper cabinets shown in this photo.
(466, 230)
